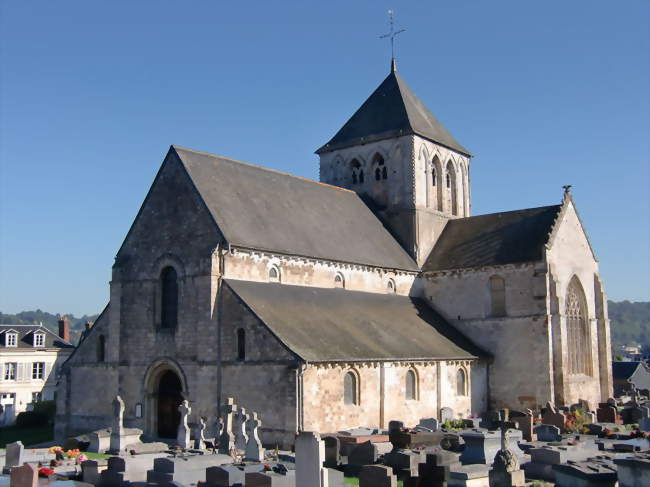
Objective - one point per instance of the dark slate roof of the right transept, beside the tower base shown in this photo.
(495, 239)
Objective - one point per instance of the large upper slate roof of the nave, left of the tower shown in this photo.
(259, 208)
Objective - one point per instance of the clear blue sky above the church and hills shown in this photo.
(92, 93)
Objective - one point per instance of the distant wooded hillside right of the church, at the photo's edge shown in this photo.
(630, 322)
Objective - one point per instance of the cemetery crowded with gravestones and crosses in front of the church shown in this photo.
(561, 446)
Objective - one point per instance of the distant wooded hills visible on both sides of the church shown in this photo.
(630, 322)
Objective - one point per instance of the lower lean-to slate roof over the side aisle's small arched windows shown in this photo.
(324, 325)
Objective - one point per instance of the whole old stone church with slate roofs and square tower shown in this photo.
(369, 296)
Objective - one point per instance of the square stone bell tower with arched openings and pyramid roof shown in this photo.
(410, 171)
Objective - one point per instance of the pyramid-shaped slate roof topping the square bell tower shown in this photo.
(392, 110)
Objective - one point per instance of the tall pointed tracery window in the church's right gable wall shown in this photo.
(577, 324)
